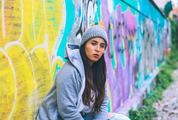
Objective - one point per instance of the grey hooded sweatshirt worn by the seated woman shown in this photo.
(64, 101)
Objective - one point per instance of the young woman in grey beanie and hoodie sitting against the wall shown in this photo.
(79, 92)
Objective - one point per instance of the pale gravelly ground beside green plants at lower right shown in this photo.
(167, 108)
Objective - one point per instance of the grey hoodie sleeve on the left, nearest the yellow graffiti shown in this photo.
(67, 94)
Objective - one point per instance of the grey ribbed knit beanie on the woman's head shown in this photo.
(92, 32)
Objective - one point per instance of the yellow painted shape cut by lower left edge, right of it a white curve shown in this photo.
(7, 85)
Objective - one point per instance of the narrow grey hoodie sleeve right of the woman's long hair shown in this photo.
(104, 108)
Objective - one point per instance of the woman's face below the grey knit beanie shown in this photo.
(94, 49)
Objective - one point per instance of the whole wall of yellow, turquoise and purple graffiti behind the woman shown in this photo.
(33, 35)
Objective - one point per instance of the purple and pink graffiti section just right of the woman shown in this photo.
(122, 31)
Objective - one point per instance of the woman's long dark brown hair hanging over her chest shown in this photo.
(95, 81)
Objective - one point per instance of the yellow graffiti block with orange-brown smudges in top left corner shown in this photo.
(11, 21)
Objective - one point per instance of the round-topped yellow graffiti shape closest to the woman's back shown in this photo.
(42, 71)
